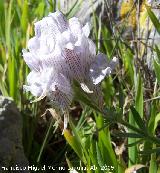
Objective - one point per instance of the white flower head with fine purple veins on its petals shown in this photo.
(59, 53)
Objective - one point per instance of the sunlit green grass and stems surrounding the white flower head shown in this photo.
(123, 137)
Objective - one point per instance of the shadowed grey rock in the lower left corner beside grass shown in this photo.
(11, 148)
